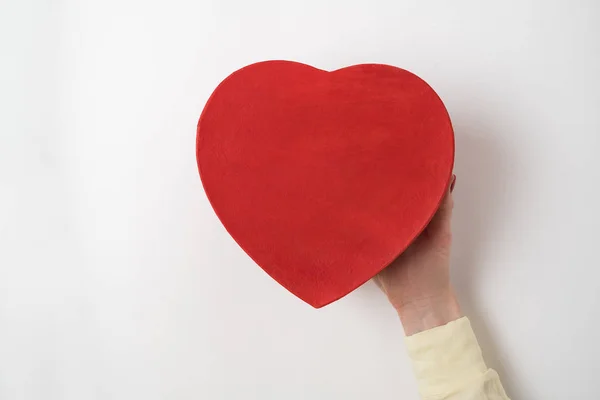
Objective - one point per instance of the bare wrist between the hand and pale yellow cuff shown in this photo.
(422, 314)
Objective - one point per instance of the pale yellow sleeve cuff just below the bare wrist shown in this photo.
(446, 358)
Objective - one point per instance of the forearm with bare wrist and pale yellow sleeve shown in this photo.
(444, 351)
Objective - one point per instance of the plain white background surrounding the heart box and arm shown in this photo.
(117, 281)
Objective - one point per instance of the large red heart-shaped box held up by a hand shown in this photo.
(324, 178)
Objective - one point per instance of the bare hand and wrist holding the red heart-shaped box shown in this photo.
(417, 283)
